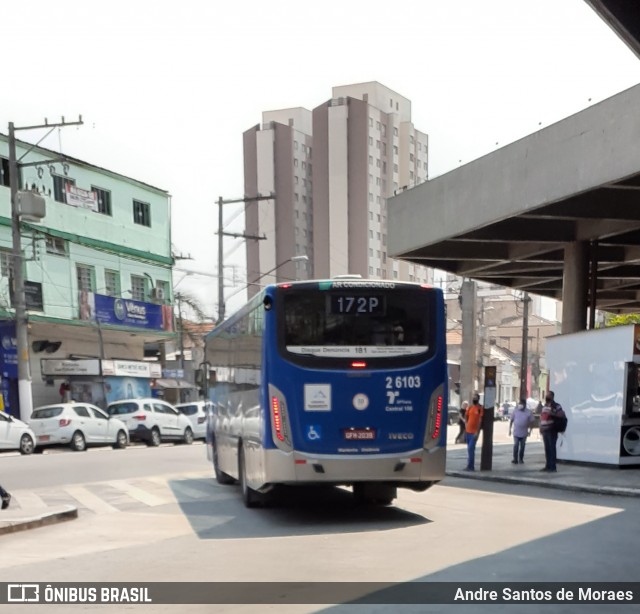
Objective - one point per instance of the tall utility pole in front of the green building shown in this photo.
(25, 394)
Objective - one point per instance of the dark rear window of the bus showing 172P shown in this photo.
(349, 322)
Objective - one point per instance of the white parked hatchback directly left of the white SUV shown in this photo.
(78, 425)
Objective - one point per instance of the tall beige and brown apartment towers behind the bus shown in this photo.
(331, 170)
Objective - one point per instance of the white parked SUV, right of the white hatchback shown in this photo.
(152, 421)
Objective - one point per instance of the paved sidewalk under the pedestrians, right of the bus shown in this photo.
(570, 476)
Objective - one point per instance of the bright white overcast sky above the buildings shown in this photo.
(166, 89)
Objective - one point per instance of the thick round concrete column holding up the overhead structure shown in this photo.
(575, 282)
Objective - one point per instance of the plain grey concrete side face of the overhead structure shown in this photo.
(567, 158)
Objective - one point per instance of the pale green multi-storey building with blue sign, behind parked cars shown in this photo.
(97, 269)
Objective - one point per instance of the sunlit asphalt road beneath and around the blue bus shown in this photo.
(157, 515)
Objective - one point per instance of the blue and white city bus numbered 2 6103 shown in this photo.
(341, 381)
